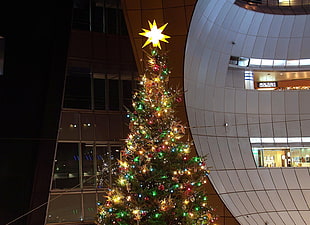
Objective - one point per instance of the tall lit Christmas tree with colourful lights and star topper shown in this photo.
(159, 182)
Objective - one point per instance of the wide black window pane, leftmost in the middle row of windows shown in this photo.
(78, 89)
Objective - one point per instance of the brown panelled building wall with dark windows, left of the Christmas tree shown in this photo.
(100, 79)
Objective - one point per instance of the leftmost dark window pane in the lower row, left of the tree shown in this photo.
(66, 173)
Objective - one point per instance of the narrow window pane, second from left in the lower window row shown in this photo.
(88, 176)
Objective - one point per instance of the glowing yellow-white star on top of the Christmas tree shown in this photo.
(154, 35)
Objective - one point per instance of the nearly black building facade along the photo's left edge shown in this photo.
(36, 38)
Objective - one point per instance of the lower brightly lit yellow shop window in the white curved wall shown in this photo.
(282, 157)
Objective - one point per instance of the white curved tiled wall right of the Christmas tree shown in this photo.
(216, 95)
